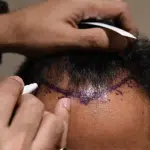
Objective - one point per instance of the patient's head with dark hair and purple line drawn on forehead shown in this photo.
(109, 95)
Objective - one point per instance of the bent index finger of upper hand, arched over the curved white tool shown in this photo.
(109, 10)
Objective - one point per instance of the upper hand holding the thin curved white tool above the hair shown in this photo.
(54, 24)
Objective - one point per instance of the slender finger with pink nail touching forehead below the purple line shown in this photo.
(62, 111)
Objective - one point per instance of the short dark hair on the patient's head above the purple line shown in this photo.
(90, 67)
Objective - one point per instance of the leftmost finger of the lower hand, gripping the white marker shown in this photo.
(10, 90)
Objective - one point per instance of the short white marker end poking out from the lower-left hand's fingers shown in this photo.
(30, 88)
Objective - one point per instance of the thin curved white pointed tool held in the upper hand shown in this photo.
(115, 29)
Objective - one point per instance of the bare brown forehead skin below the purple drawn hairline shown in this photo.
(121, 123)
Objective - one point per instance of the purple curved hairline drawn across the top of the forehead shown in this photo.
(81, 95)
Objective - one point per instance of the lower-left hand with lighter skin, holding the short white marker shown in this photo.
(31, 128)
